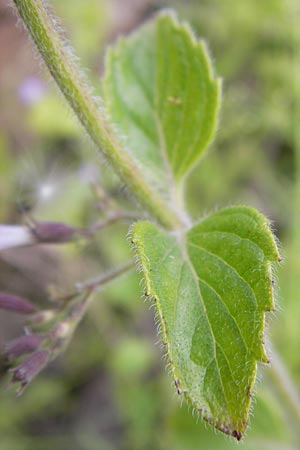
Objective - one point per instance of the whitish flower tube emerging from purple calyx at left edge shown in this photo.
(15, 236)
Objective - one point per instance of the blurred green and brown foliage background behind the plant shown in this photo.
(110, 390)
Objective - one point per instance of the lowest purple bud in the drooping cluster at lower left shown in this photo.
(30, 367)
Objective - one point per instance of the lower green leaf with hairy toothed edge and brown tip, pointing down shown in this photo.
(212, 286)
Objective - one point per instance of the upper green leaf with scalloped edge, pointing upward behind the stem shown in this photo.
(161, 94)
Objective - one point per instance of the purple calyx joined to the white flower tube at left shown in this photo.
(53, 232)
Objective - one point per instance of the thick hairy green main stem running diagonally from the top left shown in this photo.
(71, 81)
